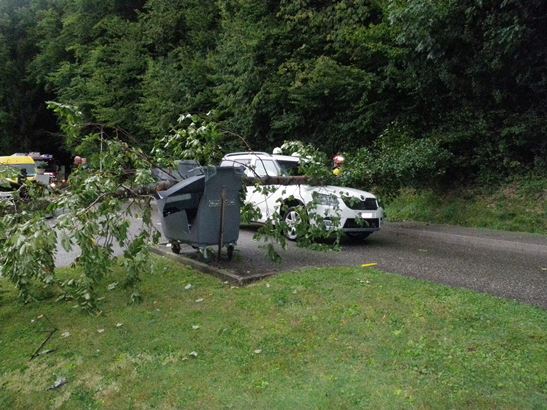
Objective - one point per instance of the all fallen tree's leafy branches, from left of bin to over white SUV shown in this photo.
(96, 211)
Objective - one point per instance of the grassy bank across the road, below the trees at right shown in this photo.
(519, 206)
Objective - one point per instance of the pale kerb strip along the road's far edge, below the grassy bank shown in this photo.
(469, 240)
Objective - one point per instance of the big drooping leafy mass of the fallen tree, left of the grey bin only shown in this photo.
(93, 214)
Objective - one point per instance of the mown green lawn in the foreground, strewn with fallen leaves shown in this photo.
(320, 338)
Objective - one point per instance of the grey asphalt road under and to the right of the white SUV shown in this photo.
(504, 264)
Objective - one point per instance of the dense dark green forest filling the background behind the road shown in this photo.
(454, 88)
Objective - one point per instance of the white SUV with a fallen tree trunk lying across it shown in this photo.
(359, 212)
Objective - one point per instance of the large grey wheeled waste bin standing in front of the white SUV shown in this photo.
(203, 210)
